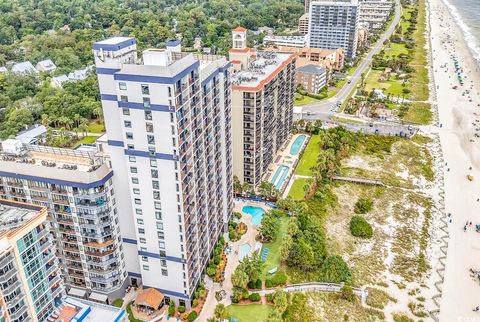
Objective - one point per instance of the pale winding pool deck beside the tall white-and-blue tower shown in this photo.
(232, 260)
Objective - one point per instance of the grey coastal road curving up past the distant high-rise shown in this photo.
(325, 108)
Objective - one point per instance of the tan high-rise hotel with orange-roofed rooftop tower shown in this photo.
(263, 87)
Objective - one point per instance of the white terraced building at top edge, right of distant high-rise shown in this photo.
(374, 13)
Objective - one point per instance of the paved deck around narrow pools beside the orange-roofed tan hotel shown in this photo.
(284, 157)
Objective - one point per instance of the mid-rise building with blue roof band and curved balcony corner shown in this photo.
(76, 189)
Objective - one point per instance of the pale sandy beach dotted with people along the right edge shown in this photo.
(458, 122)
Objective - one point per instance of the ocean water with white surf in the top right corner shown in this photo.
(467, 16)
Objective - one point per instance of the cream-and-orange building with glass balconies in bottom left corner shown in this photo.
(30, 284)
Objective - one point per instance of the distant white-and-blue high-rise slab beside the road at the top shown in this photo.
(334, 24)
